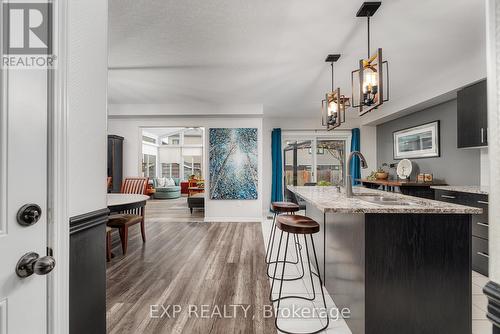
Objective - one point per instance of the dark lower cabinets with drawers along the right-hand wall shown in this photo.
(480, 224)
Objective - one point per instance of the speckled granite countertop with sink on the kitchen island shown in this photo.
(329, 199)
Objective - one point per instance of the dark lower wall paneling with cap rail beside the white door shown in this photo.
(87, 276)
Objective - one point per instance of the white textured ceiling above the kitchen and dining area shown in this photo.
(272, 52)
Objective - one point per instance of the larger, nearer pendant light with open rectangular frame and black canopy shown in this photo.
(372, 77)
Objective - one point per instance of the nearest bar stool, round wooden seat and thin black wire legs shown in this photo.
(298, 225)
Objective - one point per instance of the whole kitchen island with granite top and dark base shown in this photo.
(401, 264)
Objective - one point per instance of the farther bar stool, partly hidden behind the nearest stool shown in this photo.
(283, 208)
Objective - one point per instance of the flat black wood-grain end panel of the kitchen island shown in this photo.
(418, 274)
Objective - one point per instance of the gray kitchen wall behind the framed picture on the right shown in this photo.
(454, 166)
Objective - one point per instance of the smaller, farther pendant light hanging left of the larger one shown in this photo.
(334, 104)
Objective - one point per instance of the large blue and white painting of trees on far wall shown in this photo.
(233, 163)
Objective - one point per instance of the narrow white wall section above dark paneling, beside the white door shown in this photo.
(87, 77)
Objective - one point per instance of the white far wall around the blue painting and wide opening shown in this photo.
(234, 210)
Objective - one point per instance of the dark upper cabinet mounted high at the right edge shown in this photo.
(472, 116)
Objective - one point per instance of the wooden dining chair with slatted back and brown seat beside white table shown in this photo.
(123, 220)
